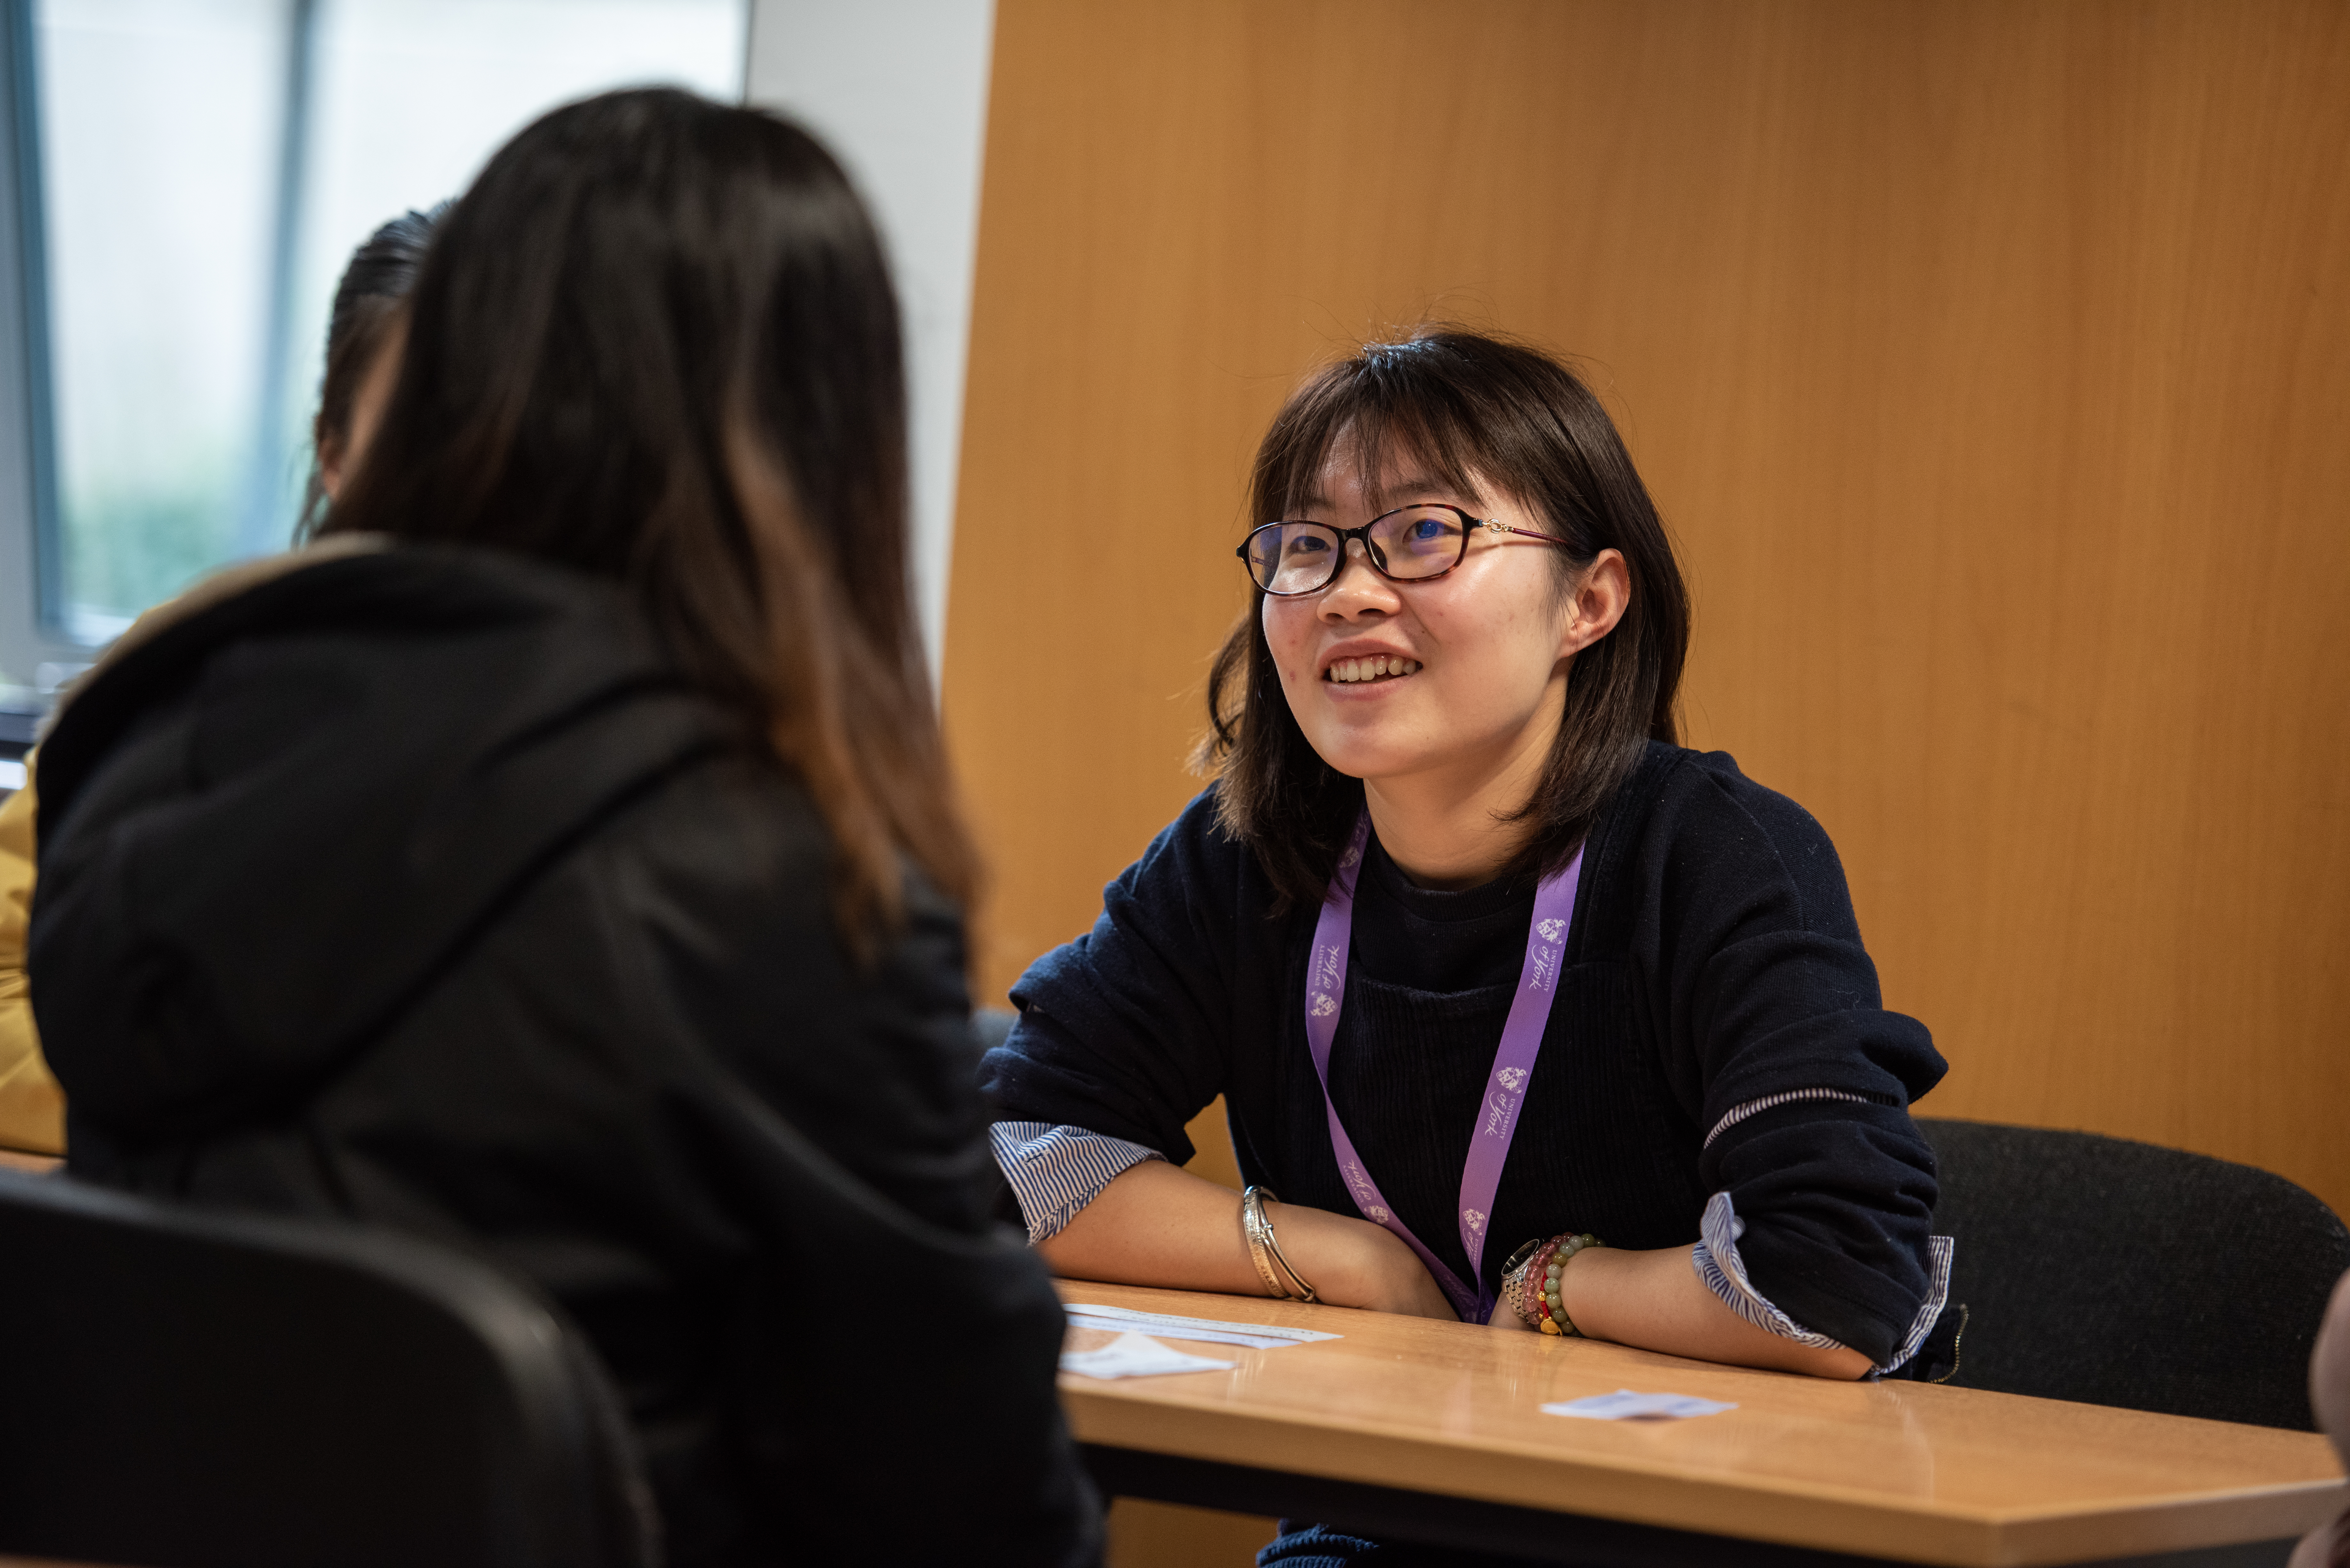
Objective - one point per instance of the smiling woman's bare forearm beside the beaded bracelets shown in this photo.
(1656, 1301)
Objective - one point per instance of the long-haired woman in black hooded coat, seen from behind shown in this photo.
(558, 859)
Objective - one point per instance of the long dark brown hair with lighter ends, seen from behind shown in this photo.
(657, 342)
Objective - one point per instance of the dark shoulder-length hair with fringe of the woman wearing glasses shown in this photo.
(1477, 413)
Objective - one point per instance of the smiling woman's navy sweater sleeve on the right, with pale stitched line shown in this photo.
(1794, 1068)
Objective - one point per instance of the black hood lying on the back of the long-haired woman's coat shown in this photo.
(281, 812)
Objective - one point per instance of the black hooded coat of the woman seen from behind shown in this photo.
(415, 887)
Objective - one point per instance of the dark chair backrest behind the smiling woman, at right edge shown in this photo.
(2130, 1275)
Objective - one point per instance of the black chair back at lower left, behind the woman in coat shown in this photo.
(203, 1391)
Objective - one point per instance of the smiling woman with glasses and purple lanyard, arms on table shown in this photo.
(1529, 1014)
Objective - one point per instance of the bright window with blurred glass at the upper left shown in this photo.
(192, 180)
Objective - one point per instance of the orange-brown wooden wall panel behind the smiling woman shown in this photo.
(1989, 361)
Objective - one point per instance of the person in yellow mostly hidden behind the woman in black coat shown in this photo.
(349, 406)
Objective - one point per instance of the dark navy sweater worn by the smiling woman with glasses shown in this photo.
(1712, 963)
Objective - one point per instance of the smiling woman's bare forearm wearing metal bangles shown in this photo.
(1160, 1226)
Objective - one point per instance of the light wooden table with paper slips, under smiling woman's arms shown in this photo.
(1435, 1433)
